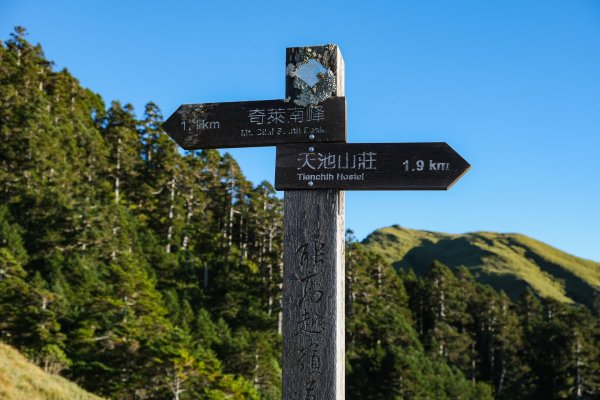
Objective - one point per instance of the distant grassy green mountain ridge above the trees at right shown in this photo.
(508, 262)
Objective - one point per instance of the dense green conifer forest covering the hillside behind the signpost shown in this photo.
(142, 272)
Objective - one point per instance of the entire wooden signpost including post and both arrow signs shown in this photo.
(313, 166)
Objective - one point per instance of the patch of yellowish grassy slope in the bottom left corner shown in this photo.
(20, 379)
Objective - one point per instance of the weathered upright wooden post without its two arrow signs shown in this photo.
(314, 238)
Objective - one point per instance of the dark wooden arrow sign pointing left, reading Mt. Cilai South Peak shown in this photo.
(256, 123)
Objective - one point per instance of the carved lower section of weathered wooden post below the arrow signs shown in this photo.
(313, 306)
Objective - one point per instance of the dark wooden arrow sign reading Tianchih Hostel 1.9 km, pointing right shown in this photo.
(368, 166)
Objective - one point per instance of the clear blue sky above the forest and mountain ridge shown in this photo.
(513, 86)
